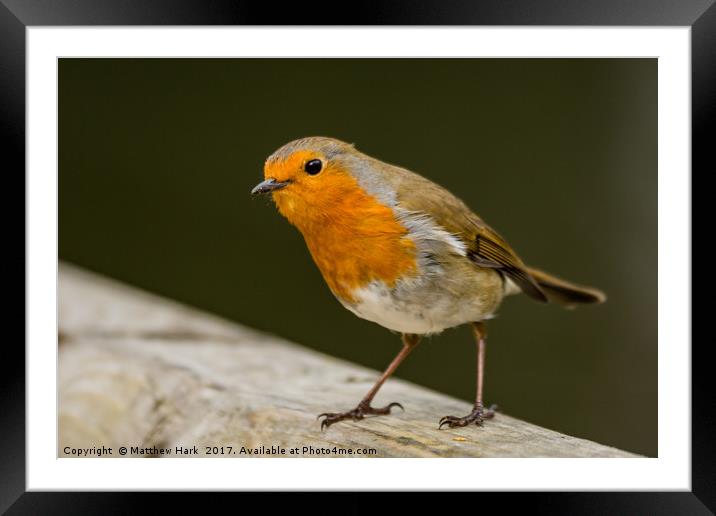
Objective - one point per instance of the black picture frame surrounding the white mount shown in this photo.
(700, 15)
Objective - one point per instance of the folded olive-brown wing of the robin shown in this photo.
(485, 246)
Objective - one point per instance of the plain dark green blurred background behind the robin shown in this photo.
(157, 158)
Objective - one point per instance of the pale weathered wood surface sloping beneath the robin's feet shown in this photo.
(138, 370)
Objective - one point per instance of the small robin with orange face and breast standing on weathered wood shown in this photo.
(403, 252)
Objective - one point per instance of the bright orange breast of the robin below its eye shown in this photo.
(353, 238)
